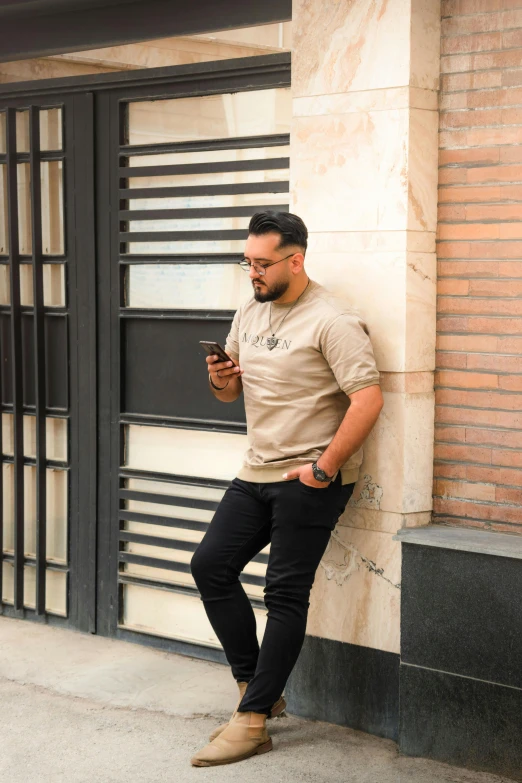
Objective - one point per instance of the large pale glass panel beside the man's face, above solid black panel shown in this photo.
(191, 286)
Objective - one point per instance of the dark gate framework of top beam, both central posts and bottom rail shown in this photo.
(95, 103)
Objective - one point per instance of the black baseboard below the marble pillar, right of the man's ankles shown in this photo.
(346, 684)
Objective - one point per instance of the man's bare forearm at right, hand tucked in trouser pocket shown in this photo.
(365, 407)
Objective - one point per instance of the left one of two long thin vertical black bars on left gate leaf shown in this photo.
(16, 361)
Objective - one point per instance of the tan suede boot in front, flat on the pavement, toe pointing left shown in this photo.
(244, 736)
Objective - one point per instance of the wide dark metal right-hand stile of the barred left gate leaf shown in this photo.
(82, 279)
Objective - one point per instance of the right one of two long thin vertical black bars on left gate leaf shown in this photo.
(39, 356)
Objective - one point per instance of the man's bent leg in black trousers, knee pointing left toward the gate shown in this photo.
(239, 530)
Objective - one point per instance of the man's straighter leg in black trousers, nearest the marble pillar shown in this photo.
(302, 521)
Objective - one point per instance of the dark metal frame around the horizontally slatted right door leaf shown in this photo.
(251, 73)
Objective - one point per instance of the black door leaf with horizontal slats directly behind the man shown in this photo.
(183, 162)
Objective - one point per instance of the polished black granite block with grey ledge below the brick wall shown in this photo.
(461, 648)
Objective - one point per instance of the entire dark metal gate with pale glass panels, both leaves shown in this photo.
(115, 355)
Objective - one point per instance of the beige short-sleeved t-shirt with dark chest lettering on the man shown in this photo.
(296, 394)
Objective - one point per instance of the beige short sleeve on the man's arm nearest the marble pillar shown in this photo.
(347, 348)
